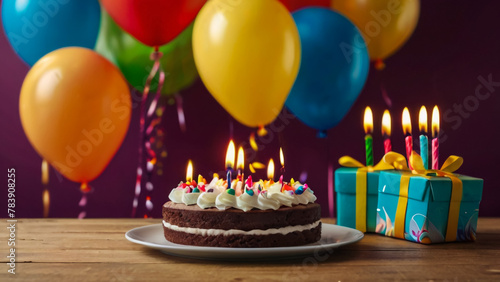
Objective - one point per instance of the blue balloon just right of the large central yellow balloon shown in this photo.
(333, 69)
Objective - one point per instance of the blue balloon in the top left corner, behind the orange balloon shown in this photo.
(37, 27)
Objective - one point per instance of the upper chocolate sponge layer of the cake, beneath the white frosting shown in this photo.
(213, 218)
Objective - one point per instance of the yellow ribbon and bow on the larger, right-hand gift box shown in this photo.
(451, 164)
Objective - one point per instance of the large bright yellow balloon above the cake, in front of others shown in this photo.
(248, 54)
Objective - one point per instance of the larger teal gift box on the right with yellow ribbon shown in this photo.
(428, 206)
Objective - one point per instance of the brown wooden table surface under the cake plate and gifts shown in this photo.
(96, 249)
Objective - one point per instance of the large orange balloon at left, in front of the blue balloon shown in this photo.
(75, 109)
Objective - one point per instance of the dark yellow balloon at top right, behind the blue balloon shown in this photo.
(385, 24)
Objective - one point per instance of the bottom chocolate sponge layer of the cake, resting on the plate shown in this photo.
(245, 241)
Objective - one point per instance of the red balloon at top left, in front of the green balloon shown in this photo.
(153, 22)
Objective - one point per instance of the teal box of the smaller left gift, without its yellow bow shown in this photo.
(345, 191)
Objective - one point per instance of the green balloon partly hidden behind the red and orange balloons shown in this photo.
(133, 57)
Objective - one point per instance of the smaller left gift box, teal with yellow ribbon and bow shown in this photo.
(356, 189)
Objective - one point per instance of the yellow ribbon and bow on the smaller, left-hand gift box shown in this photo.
(361, 183)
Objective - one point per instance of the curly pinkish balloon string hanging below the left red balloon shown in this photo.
(155, 56)
